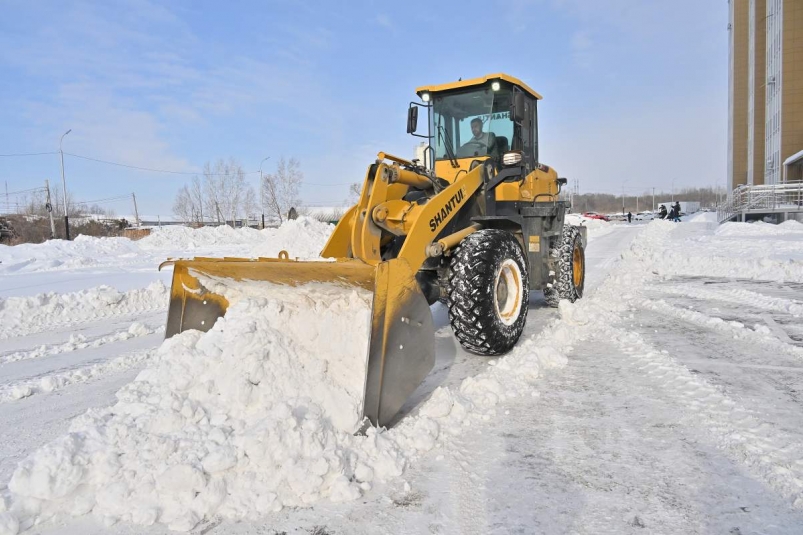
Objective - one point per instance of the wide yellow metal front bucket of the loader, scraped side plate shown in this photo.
(401, 350)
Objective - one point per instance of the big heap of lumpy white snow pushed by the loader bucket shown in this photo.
(251, 417)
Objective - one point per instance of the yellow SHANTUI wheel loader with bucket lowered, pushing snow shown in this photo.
(475, 223)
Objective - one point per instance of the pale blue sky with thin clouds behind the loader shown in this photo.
(635, 92)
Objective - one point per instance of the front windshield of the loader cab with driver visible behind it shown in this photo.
(472, 123)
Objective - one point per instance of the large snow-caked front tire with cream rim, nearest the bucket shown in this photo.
(488, 292)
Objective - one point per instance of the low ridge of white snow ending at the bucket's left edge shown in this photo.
(25, 315)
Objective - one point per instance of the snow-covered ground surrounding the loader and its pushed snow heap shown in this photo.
(668, 400)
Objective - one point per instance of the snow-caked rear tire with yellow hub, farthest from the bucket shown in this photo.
(568, 262)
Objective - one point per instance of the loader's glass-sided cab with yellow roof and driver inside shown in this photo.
(480, 119)
